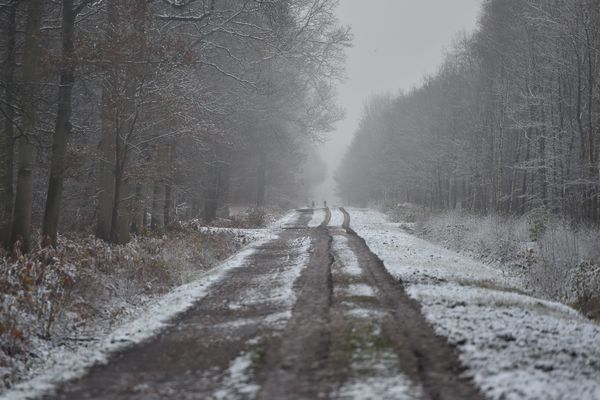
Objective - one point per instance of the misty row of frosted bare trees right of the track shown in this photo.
(509, 124)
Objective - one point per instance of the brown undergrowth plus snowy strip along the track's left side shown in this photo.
(88, 288)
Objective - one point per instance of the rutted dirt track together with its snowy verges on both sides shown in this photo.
(310, 312)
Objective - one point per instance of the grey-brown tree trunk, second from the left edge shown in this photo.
(21, 228)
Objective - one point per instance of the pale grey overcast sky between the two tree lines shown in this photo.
(396, 43)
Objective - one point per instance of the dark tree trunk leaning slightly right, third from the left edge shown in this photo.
(63, 125)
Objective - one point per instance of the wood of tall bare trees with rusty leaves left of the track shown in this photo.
(125, 115)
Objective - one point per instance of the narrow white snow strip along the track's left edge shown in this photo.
(71, 365)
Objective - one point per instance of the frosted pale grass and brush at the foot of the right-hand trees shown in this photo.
(557, 259)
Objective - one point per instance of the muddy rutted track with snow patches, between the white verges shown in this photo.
(312, 314)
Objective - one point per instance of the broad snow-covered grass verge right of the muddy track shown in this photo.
(516, 346)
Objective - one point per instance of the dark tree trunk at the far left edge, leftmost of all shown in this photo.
(7, 137)
